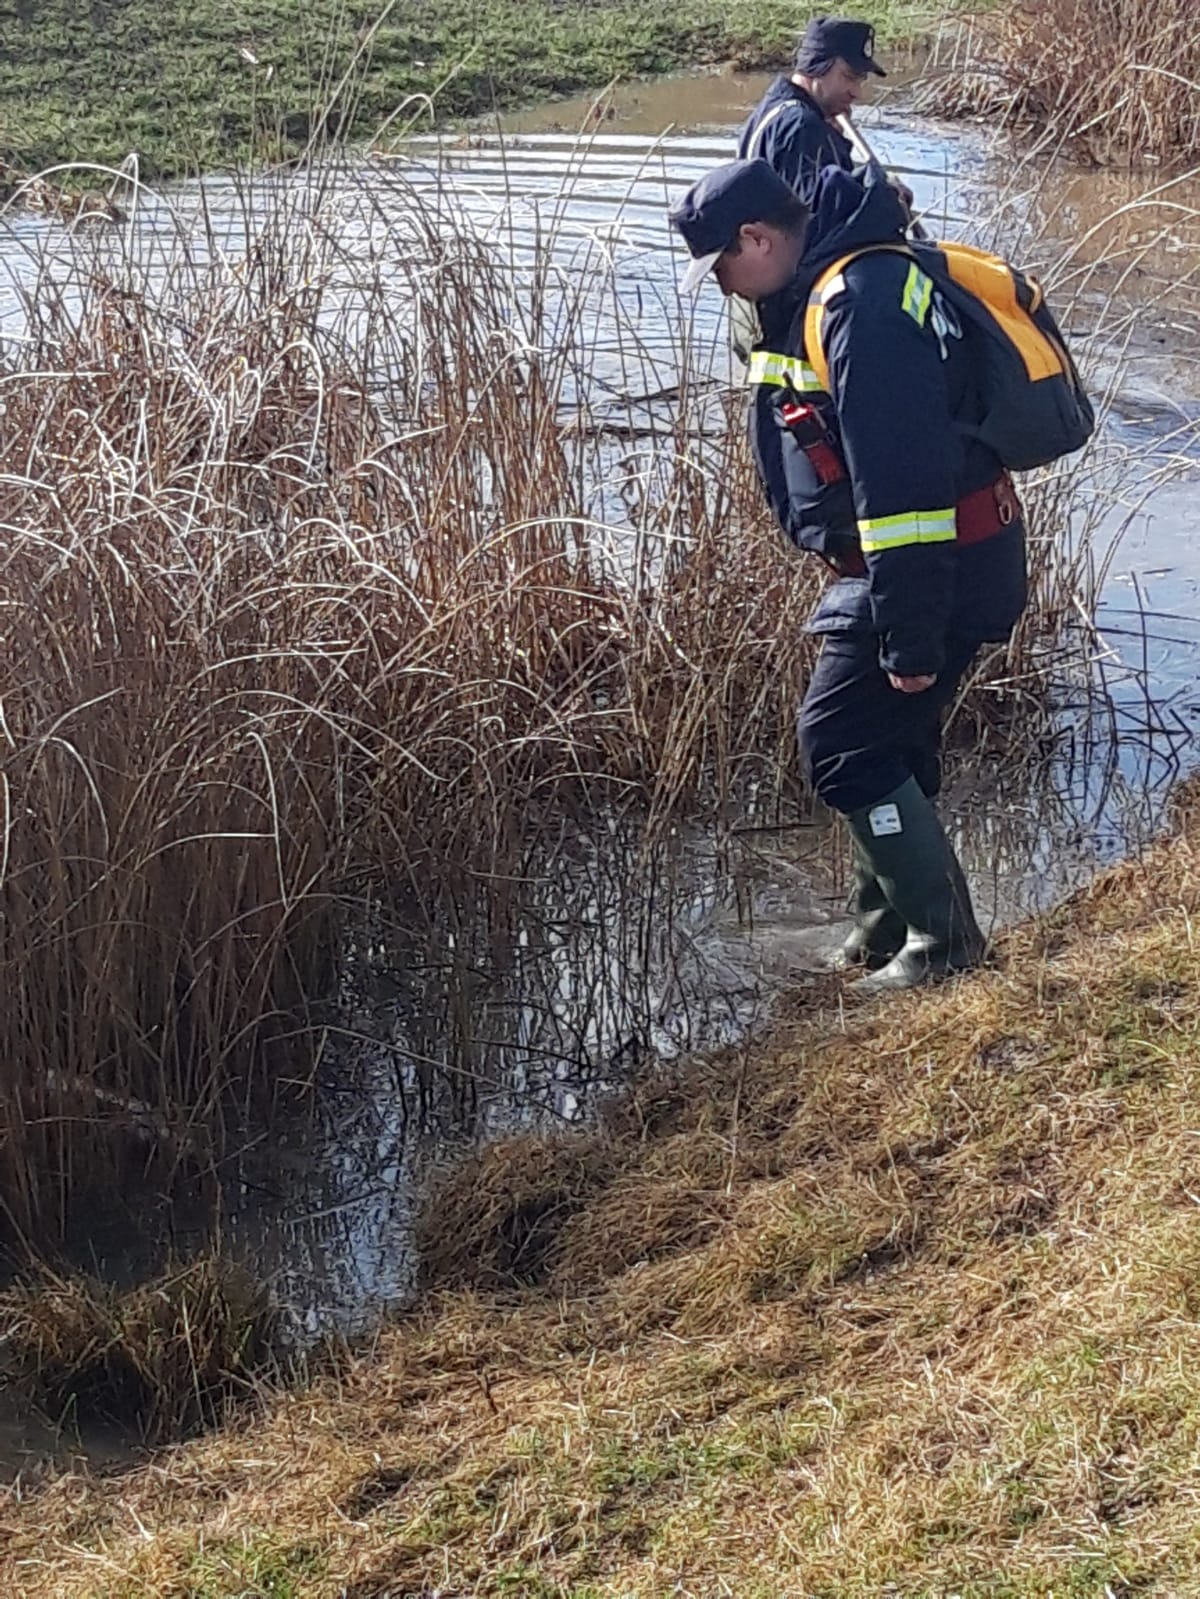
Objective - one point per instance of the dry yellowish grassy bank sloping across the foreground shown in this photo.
(898, 1304)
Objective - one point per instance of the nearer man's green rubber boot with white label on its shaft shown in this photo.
(924, 885)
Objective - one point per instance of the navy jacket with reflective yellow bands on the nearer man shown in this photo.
(902, 399)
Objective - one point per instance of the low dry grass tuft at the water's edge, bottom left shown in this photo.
(164, 1358)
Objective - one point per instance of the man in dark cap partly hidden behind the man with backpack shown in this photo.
(794, 127)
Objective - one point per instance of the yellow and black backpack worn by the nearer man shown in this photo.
(1034, 404)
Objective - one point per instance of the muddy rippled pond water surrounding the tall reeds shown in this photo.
(617, 960)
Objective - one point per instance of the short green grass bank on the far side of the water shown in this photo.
(193, 87)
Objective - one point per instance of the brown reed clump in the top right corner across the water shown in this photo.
(1111, 81)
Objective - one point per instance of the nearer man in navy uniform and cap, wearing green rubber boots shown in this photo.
(884, 479)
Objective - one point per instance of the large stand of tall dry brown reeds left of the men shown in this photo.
(322, 570)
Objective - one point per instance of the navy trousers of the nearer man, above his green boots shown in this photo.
(863, 738)
